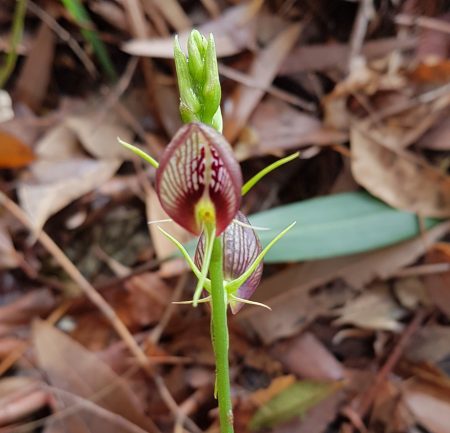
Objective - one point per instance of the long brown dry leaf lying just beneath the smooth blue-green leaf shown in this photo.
(287, 292)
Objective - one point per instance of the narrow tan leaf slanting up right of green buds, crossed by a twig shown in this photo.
(264, 69)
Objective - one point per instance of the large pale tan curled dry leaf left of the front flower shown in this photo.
(63, 173)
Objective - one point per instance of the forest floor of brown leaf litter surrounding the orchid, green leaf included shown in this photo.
(358, 339)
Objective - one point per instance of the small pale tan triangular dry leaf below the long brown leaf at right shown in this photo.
(374, 309)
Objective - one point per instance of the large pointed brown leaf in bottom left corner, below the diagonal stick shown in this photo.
(73, 369)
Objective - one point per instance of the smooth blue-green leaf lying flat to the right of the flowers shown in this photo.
(336, 225)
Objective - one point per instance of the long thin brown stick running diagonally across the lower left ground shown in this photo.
(101, 304)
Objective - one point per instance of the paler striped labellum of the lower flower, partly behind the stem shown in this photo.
(241, 247)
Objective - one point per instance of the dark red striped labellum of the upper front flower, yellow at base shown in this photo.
(198, 180)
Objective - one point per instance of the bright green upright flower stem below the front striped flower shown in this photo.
(219, 329)
